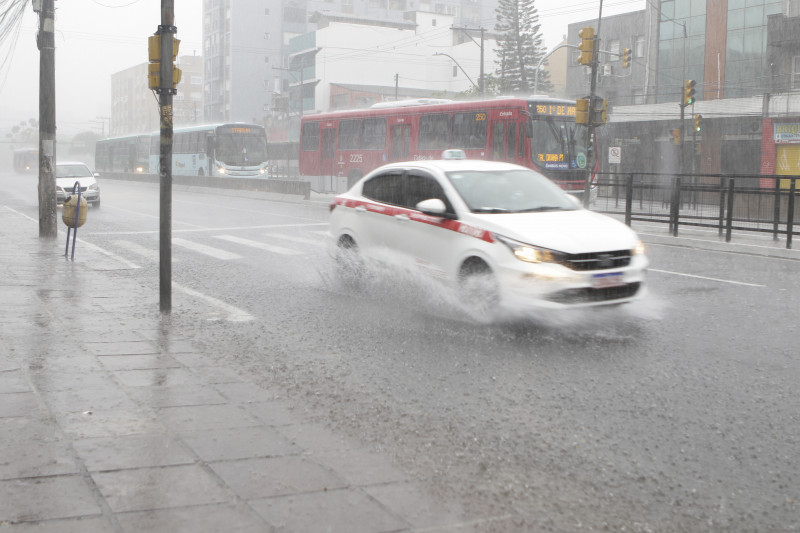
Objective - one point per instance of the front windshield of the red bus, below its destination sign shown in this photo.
(558, 144)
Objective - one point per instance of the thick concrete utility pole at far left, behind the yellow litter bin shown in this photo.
(45, 40)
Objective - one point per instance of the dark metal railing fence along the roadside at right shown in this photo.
(763, 204)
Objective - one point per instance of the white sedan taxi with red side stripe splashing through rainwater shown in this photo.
(500, 233)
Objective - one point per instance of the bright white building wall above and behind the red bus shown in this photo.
(358, 54)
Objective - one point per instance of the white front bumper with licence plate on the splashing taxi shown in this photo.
(554, 286)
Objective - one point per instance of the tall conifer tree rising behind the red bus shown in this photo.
(520, 46)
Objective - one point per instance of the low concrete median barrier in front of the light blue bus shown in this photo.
(271, 185)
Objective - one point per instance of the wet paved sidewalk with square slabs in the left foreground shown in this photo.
(112, 421)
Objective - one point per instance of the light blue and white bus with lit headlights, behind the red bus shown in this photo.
(222, 150)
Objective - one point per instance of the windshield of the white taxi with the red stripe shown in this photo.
(509, 191)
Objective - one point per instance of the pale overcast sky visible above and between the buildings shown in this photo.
(95, 38)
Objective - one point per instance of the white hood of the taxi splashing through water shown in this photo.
(579, 231)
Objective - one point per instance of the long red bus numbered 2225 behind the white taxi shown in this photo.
(536, 132)
